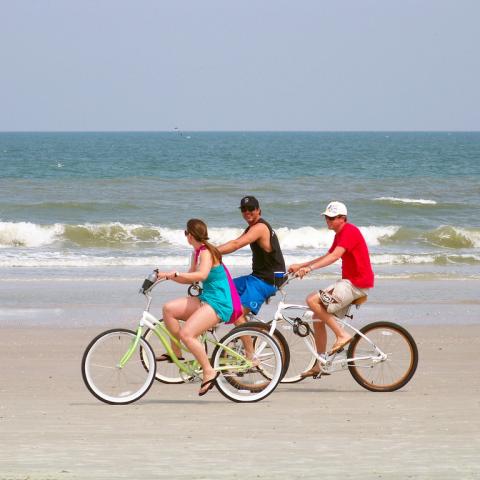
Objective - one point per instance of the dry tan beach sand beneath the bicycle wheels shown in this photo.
(52, 428)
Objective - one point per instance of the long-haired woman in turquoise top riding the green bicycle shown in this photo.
(203, 312)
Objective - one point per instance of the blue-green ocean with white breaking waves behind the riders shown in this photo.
(79, 201)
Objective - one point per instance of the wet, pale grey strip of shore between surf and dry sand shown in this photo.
(81, 302)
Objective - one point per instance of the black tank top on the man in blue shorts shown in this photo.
(265, 263)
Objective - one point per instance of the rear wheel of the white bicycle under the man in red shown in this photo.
(388, 373)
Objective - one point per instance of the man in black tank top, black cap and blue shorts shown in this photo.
(267, 258)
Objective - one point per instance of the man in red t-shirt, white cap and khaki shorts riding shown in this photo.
(357, 278)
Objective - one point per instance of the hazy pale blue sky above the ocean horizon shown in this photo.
(239, 65)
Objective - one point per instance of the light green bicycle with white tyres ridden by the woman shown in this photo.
(119, 365)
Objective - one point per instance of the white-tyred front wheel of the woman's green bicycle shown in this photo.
(109, 375)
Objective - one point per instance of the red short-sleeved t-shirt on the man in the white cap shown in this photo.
(356, 265)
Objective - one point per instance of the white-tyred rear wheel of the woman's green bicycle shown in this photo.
(239, 383)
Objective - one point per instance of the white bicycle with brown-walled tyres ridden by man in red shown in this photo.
(382, 356)
